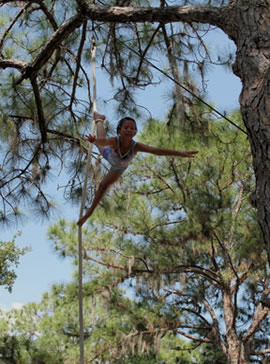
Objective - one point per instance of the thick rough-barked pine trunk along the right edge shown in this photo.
(252, 65)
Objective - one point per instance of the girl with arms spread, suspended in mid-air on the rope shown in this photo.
(119, 151)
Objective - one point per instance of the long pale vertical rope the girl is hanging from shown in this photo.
(80, 246)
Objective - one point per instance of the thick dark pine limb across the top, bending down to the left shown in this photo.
(118, 15)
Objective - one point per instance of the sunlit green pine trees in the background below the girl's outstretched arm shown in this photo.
(160, 254)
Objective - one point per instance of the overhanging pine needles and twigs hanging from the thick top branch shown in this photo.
(61, 115)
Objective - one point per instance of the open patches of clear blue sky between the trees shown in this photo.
(41, 267)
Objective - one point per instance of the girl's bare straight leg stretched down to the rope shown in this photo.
(107, 181)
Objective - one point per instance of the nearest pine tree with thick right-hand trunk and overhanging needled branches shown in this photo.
(44, 50)
